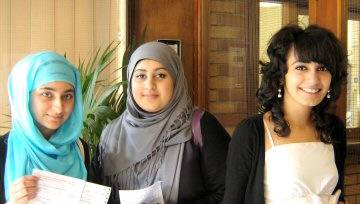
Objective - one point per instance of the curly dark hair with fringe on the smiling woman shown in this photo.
(312, 44)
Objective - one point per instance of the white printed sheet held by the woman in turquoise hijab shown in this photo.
(56, 189)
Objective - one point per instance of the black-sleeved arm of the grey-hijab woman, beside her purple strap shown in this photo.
(213, 159)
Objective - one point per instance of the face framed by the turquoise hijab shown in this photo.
(51, 105)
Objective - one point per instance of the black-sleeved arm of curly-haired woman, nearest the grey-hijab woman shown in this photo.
(239, 163)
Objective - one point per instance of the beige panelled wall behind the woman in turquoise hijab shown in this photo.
(77, 27)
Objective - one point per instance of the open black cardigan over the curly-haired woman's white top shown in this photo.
(246, 160)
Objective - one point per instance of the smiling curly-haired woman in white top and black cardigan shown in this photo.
(294, 152)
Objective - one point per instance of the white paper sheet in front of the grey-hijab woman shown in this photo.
(149, 195)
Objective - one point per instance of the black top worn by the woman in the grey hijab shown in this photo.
(202, 176)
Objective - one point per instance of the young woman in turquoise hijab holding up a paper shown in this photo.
(46, 113)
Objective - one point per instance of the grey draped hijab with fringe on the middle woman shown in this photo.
(139, 147)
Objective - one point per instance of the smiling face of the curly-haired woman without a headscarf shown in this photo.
(306, 84)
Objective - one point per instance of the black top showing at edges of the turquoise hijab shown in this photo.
(3, 150)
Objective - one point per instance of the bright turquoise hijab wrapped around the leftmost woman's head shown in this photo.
(27, 147)
